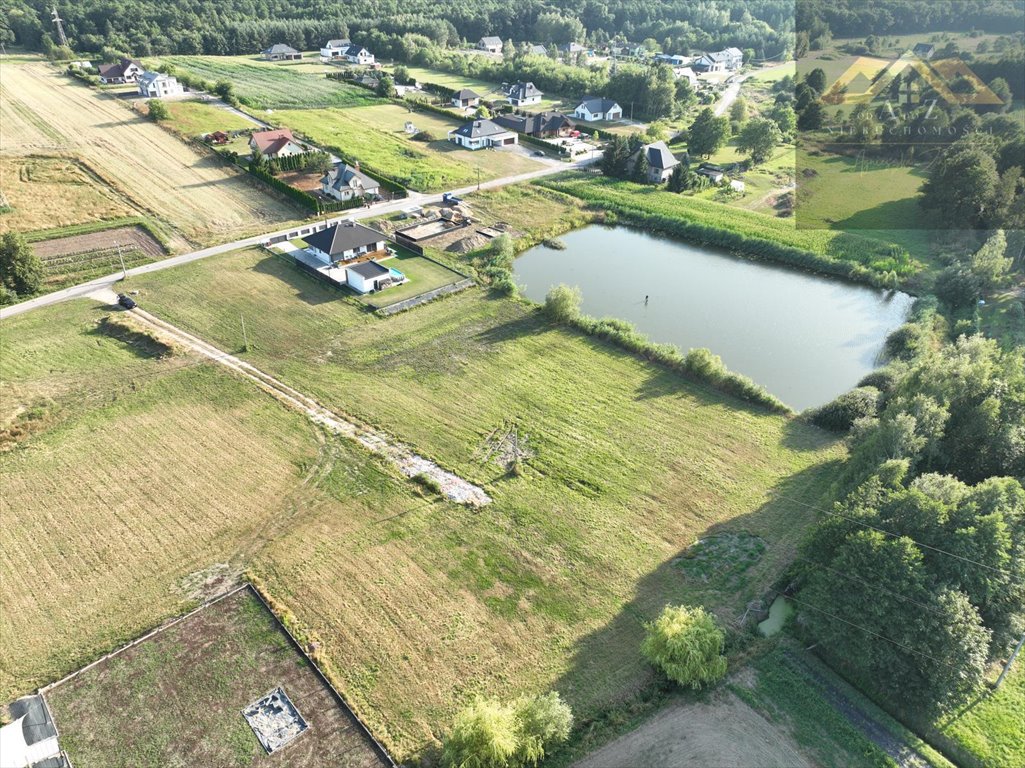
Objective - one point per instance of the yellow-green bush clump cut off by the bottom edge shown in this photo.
(491, 735)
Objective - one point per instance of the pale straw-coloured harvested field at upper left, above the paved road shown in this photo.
(163, 178)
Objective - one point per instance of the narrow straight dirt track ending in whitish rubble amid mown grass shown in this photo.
(408, 463)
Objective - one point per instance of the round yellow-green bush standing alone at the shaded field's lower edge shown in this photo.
(686, 645)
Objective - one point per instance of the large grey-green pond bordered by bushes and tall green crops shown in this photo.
(805, 338)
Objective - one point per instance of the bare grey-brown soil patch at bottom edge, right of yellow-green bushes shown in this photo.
(723, 734)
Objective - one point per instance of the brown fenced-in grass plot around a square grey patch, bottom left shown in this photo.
(184, 691)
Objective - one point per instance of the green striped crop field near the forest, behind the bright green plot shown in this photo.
(267, 86)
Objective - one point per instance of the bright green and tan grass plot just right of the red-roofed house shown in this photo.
(377, 137)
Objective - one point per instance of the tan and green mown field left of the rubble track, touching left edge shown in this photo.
(127, 478)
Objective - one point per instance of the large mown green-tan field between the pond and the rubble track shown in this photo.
(549, 586)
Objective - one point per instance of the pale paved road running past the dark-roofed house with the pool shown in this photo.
(108, 281)
